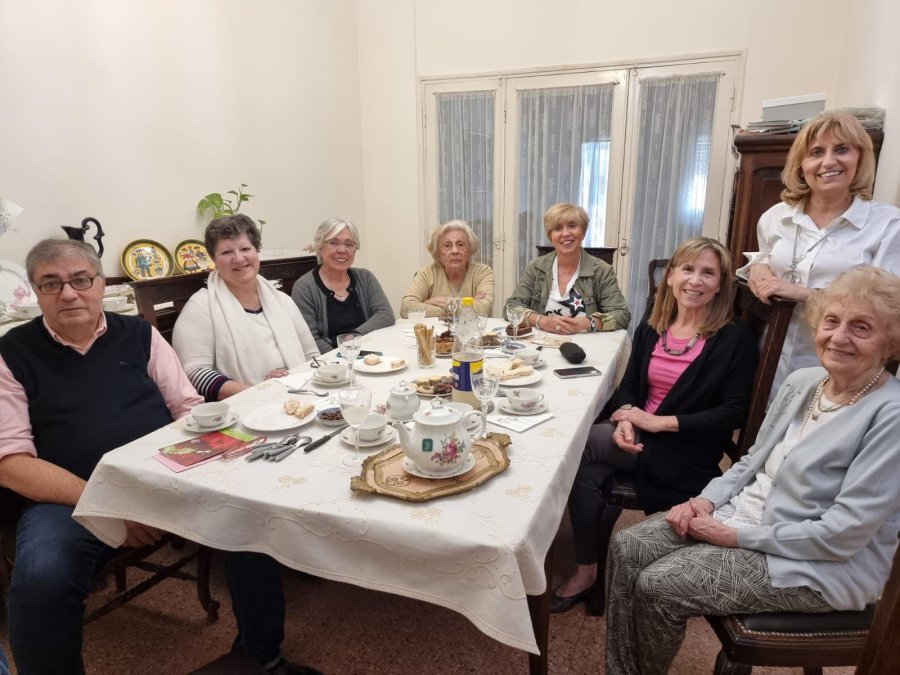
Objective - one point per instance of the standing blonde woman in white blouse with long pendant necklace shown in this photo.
(825, 224)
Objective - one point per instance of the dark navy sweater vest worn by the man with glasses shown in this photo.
(82, 406)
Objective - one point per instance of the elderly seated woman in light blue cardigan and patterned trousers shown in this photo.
(807, 521)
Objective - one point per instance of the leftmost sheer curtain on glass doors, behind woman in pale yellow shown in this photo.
(465, 124)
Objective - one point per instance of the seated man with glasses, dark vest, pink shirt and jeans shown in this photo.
(74, 384)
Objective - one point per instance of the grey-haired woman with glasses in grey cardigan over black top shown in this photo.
(334, 298)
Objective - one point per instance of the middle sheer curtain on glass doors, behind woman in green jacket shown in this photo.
(563, 157)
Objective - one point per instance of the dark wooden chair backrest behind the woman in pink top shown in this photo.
(770, 323)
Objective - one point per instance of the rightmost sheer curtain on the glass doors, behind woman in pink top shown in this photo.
(676, 118)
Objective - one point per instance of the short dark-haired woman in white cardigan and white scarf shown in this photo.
(238, 330)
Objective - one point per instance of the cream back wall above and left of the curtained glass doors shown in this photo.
(792, 48)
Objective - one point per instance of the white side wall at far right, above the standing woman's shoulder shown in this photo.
(870, 76)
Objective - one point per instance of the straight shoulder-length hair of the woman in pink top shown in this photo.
(719, 312)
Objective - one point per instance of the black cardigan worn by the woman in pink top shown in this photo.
(710, 400)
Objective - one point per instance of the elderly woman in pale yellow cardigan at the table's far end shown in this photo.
(452, 275)
